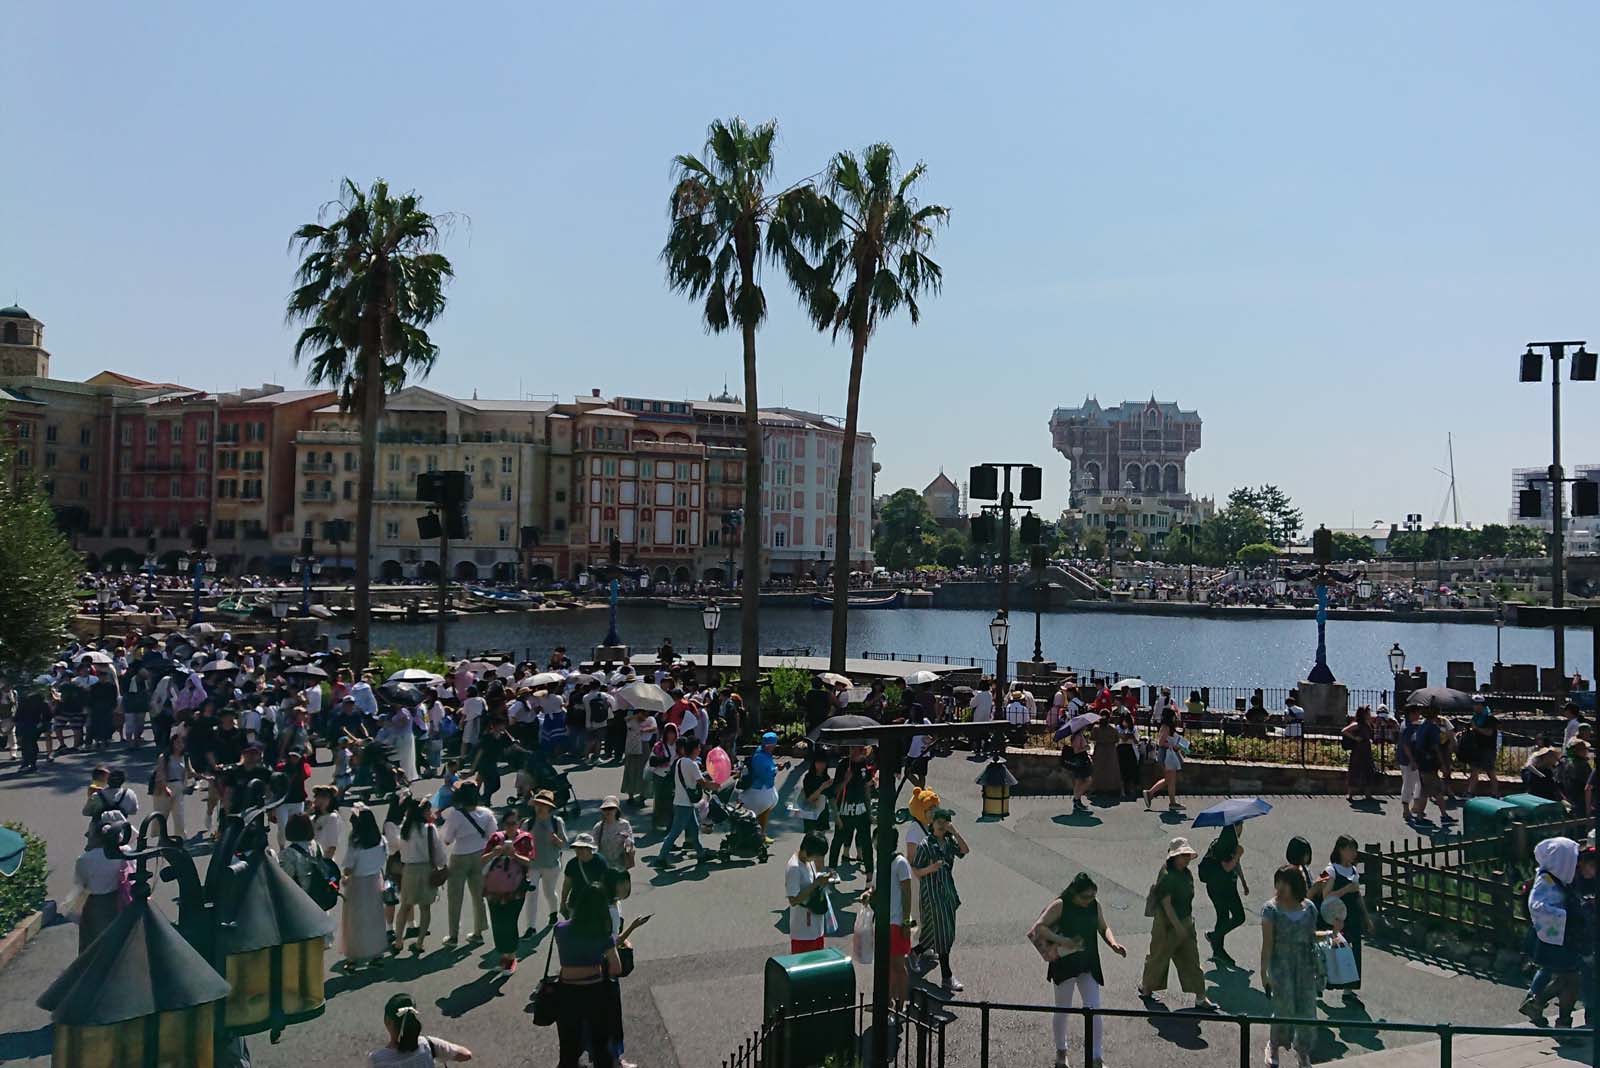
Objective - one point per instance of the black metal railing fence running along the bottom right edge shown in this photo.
(937, 1034)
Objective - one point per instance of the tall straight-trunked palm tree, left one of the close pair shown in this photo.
(719, 210)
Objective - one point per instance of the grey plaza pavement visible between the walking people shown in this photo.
(698, 987)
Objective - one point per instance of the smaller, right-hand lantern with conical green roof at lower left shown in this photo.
(273, 952)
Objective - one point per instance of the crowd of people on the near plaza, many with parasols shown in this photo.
(497, 837)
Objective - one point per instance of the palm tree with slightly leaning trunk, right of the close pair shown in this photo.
(868, 231)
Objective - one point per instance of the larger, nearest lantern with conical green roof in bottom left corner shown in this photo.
(140, 997)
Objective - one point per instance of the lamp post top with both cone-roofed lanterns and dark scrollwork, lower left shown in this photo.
(246, 958)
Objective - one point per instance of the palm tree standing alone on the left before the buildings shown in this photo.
(369, 284)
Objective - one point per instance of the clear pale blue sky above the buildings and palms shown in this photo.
(1327, 228)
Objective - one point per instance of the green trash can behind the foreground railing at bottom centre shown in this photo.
(817, 995)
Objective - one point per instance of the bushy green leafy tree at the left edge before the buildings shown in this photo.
(38, 578)
